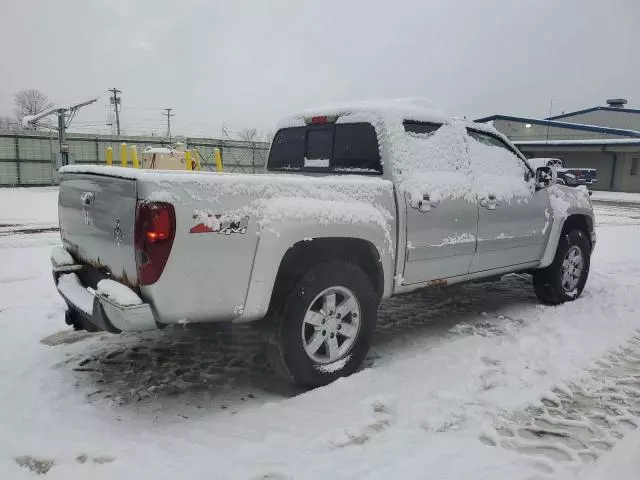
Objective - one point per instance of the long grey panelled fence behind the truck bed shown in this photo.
(33, 158)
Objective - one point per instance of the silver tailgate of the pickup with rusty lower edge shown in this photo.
(97, 220)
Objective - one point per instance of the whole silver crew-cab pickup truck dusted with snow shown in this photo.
(357, 204)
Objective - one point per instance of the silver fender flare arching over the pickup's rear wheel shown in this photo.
(278, 237)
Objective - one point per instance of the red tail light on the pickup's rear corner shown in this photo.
(154, 233)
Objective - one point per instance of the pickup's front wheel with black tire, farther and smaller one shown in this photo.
(550, 285)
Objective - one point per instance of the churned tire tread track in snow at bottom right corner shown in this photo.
(574, 425)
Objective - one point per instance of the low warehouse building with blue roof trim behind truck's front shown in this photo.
(604, 137)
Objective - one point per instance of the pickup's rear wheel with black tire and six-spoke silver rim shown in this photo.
(342, 341)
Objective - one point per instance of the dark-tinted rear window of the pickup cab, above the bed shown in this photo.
(341, 148)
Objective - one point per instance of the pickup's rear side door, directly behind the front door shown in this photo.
(441, 231)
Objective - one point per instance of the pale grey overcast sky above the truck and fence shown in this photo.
(246, 63)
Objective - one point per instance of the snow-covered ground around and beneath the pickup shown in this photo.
(477, 381)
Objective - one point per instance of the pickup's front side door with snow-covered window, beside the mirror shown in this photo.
(511, 228)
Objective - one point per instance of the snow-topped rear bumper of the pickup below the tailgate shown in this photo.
(102, 312)
